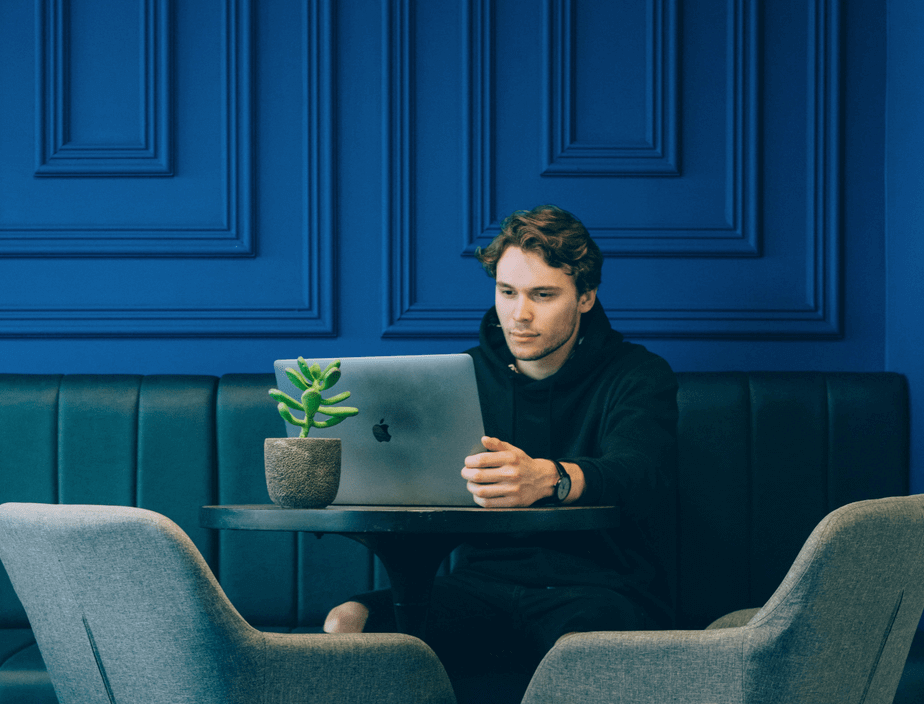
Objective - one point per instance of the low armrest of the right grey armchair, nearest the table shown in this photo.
(695, 667)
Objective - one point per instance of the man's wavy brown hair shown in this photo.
(557, 235)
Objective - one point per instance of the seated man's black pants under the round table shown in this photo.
(476, 625)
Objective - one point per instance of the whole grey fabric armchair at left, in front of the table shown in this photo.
(125, 609)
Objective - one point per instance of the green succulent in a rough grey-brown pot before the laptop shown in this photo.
(304, 472)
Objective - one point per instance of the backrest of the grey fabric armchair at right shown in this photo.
(839, 626)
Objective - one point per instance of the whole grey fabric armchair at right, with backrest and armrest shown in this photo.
(838, 629)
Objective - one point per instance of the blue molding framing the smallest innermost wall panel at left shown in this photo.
(57, 153)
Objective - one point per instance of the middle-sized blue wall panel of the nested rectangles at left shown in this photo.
(84, 116)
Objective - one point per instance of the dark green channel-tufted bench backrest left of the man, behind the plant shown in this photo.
(172, 444)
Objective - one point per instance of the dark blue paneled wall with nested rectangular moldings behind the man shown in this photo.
(203, 187)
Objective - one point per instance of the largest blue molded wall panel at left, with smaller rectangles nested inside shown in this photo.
(172, 254)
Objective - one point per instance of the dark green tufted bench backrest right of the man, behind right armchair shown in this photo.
(763, 457)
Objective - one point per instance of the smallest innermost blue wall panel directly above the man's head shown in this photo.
(624, 122)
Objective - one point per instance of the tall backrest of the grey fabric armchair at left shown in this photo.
(123, 605)
